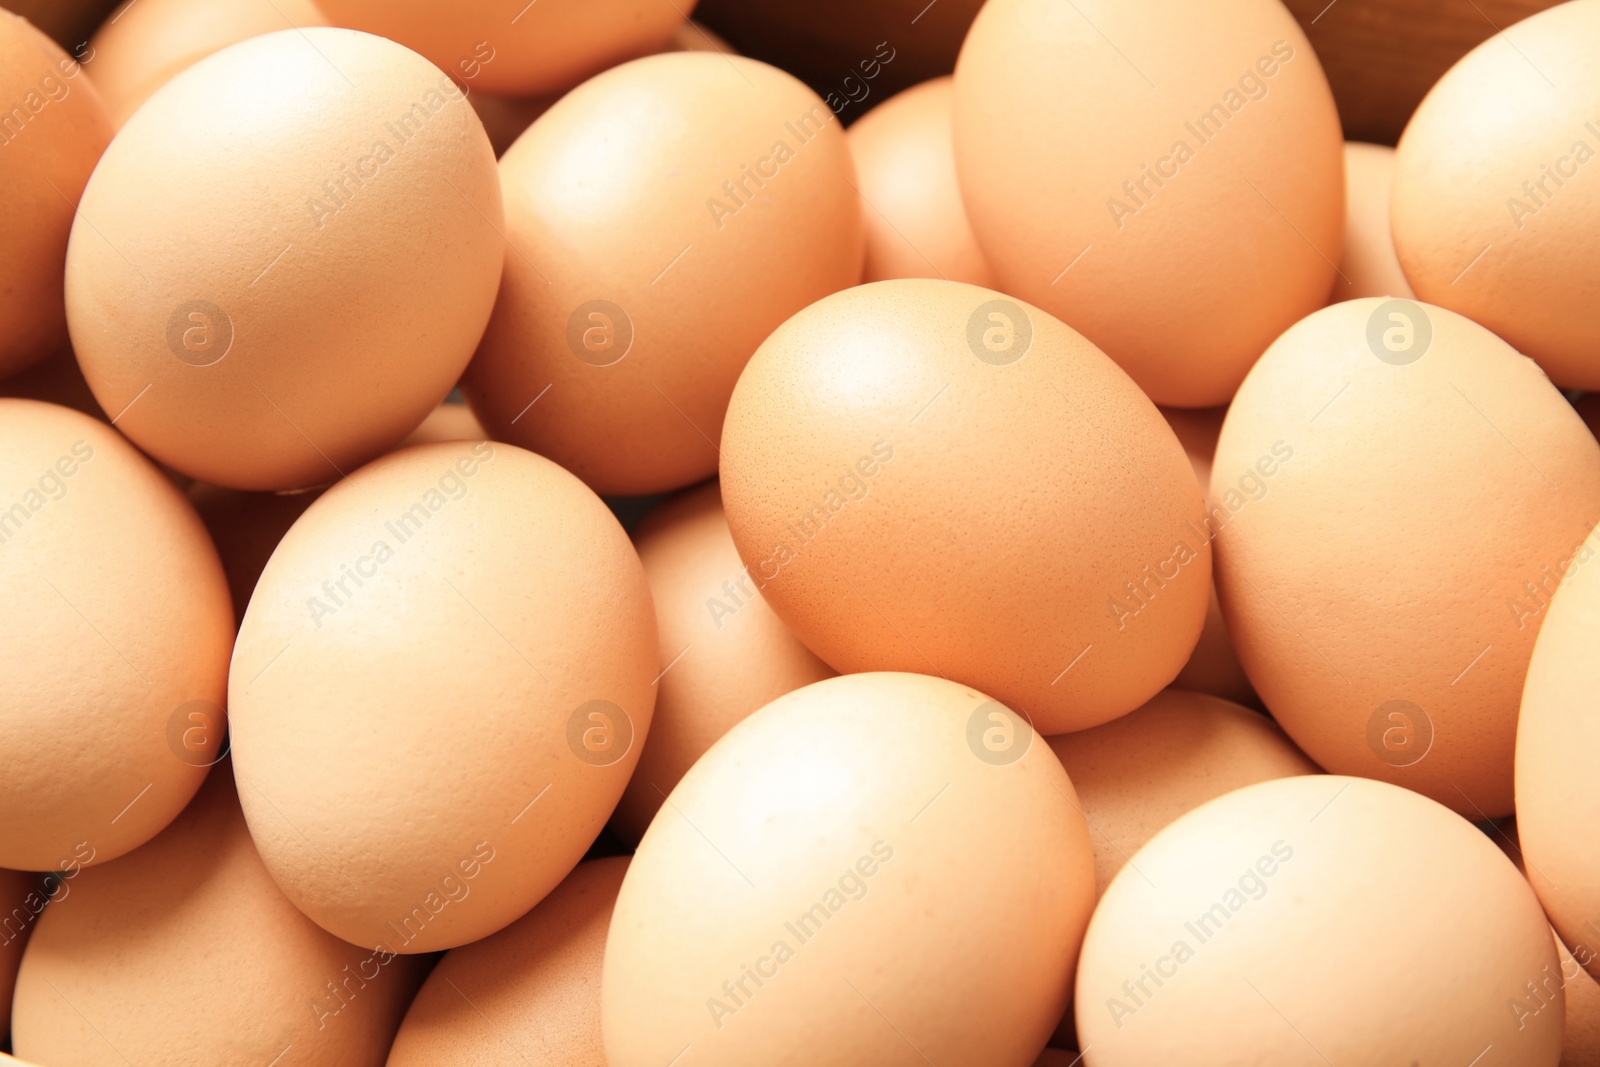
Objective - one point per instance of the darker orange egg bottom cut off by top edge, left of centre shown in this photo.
(518, 47)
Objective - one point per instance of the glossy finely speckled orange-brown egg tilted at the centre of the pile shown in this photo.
(914, 500)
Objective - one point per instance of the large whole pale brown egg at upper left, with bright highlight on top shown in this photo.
(311, 284)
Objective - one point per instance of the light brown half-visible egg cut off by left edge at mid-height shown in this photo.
(121, 629)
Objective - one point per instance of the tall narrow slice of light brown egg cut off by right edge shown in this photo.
(1558, 796)
